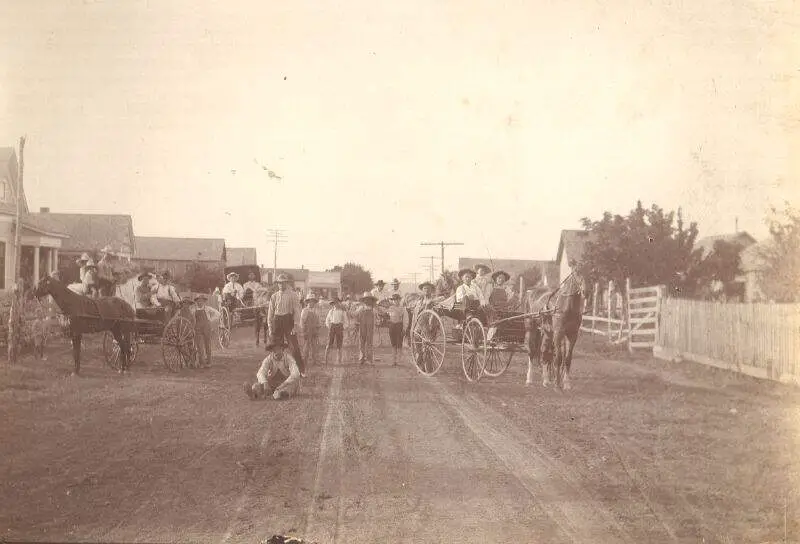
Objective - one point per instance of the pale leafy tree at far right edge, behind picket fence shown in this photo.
(781, 257)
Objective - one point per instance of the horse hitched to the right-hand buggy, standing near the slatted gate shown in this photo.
(553, 336)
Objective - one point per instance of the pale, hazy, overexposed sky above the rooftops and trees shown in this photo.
(496, 124)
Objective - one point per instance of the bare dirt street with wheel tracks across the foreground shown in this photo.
(640, 451)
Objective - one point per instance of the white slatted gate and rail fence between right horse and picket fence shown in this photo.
(634, 320)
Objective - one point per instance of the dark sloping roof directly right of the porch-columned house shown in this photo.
(87, 232)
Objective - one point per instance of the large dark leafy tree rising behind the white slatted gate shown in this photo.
(649, 246)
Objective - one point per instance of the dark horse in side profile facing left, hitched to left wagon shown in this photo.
(91, 315)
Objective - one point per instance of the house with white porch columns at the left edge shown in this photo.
(39, 243)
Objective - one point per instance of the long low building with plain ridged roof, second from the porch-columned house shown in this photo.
(178, 254)
